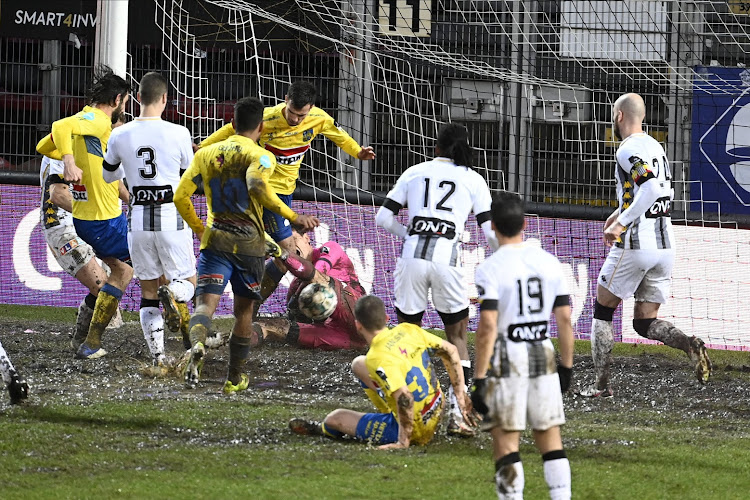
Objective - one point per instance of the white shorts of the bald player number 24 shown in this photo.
(643, 274)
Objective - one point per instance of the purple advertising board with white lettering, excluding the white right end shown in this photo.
(30, 274)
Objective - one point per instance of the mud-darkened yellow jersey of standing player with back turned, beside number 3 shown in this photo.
(235, 218)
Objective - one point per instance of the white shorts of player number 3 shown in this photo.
(162, 252)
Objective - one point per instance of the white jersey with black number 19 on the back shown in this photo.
(523, 283)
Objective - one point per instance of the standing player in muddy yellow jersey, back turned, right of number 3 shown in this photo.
(235, 175)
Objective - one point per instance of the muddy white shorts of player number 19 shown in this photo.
(514, 400)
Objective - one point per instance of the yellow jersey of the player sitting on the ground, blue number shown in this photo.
(400, 357)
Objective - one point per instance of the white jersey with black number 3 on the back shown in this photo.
(150, 154)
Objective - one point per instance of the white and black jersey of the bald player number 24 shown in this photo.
(640, 158)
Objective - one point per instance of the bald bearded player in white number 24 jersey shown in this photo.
(640, 261)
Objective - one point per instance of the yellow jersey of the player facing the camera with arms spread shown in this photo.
(289, 144)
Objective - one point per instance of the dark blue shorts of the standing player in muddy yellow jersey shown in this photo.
(216, 268)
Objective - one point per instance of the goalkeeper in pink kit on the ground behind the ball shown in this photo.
(330, 266)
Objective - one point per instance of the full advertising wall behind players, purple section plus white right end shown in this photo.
(711, 279)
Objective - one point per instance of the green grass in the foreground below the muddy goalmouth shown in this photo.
(182, 445)
